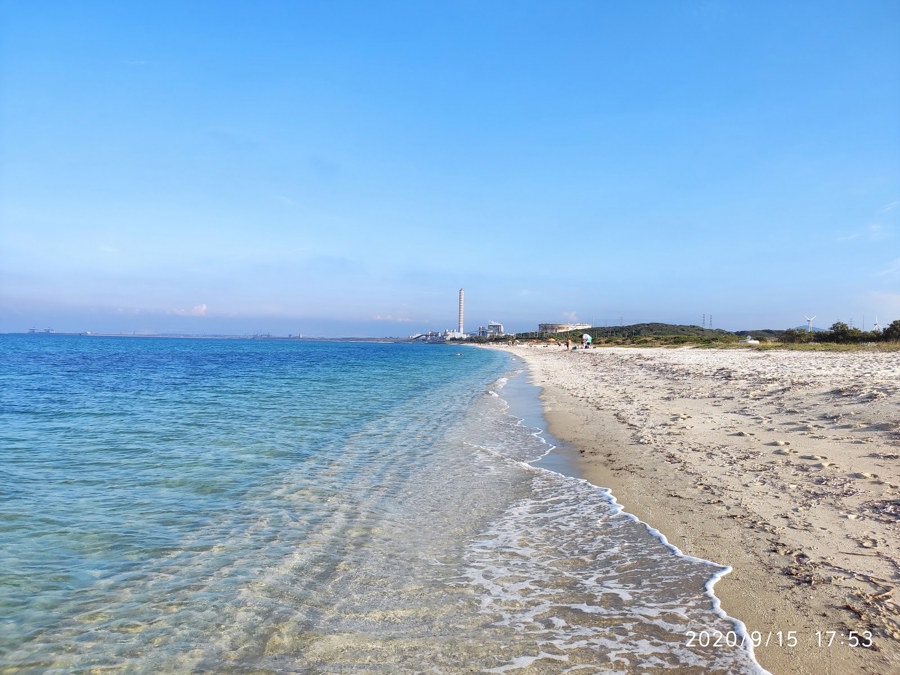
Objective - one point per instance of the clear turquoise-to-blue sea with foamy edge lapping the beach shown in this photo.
(286, 506)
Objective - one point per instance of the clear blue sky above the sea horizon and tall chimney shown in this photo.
(343, 168)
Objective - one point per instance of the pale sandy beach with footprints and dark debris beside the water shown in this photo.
(784, 465)
